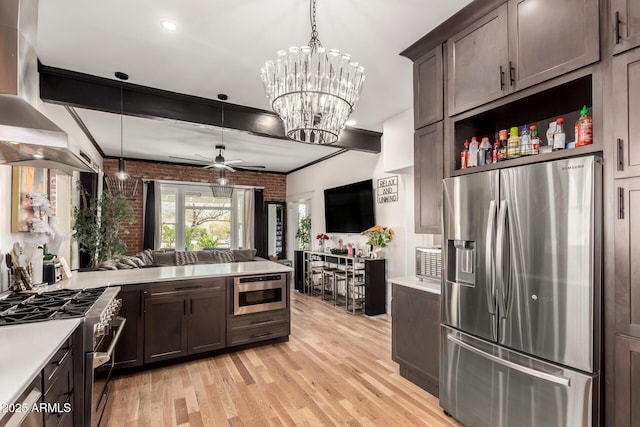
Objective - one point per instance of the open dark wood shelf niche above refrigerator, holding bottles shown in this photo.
(564, 100)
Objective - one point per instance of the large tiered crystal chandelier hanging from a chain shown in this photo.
(312, 89)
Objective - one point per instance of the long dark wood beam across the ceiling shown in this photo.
(81, 90)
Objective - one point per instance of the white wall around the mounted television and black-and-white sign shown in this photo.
(354, 166)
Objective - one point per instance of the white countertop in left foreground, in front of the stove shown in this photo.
(26, 349)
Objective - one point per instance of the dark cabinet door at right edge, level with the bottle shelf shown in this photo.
(626, 101)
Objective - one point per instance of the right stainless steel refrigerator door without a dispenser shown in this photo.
(546, 225)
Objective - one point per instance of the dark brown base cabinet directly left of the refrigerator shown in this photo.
(416, 335)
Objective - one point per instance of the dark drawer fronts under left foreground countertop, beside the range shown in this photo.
(59, 397)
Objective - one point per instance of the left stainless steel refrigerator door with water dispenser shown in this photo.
(468, 292)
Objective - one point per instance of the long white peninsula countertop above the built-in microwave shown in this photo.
(96, 279)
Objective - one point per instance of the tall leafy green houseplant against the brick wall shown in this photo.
(100, 224)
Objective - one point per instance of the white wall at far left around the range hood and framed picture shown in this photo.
(77, 140)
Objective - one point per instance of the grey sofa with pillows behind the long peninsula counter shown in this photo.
(162, 258)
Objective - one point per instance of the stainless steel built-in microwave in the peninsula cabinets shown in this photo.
(253, 294)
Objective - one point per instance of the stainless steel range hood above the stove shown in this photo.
(27, 137)
